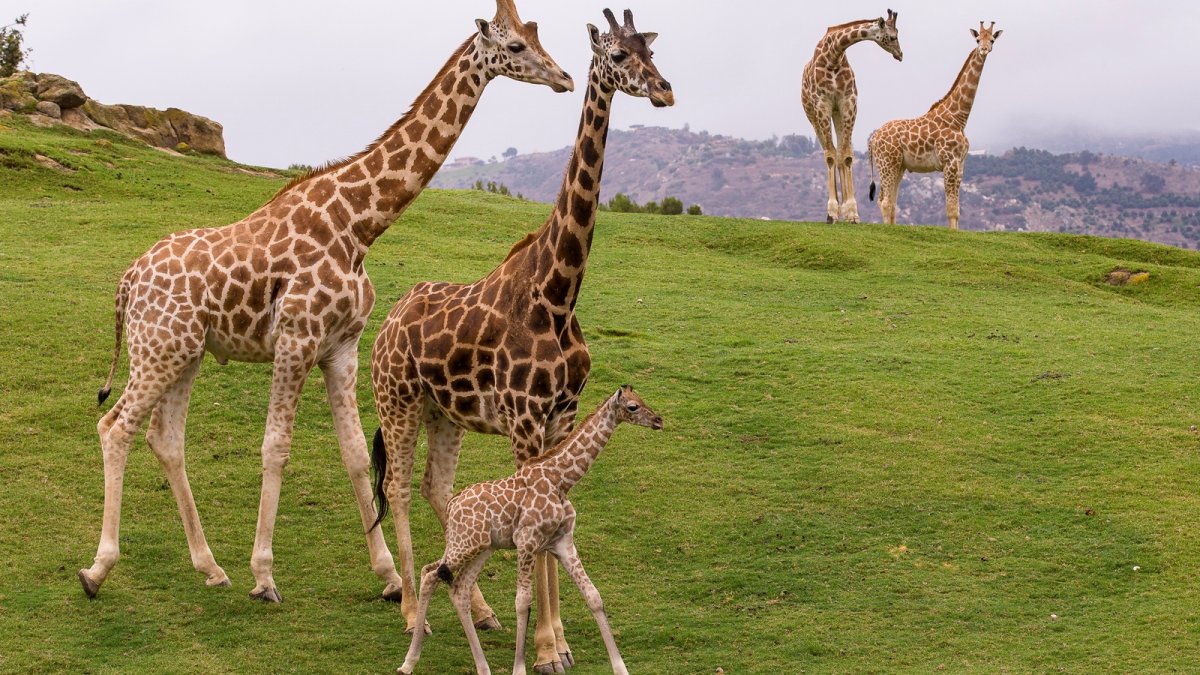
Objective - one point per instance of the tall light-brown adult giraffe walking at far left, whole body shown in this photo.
(286, 285)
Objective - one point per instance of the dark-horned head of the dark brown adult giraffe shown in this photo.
(625, 62)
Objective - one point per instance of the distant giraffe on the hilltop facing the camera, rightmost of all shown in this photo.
(934, 141)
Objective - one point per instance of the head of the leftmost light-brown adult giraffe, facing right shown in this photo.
(511, 49)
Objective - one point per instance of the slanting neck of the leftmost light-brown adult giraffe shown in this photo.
(368, 193)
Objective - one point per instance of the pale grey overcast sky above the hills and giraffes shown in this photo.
(302, 81)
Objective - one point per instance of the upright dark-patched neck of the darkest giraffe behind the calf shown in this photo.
(557, 254)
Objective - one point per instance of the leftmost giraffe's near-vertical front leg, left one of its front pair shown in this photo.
(293, 361)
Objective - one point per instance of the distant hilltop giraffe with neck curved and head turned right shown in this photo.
(831, 101)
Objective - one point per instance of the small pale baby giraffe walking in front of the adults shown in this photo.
(529, 512)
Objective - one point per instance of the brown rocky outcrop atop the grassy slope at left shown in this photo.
(53, 99)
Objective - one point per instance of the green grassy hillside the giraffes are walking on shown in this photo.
(887, 449)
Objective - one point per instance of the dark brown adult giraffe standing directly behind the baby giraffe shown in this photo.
(506, 355)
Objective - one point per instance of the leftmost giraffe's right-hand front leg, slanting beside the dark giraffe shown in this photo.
(341, 386)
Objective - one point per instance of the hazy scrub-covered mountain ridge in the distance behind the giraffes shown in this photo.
(1022, 189)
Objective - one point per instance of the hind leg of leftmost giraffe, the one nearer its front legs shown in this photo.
(166, 440)
